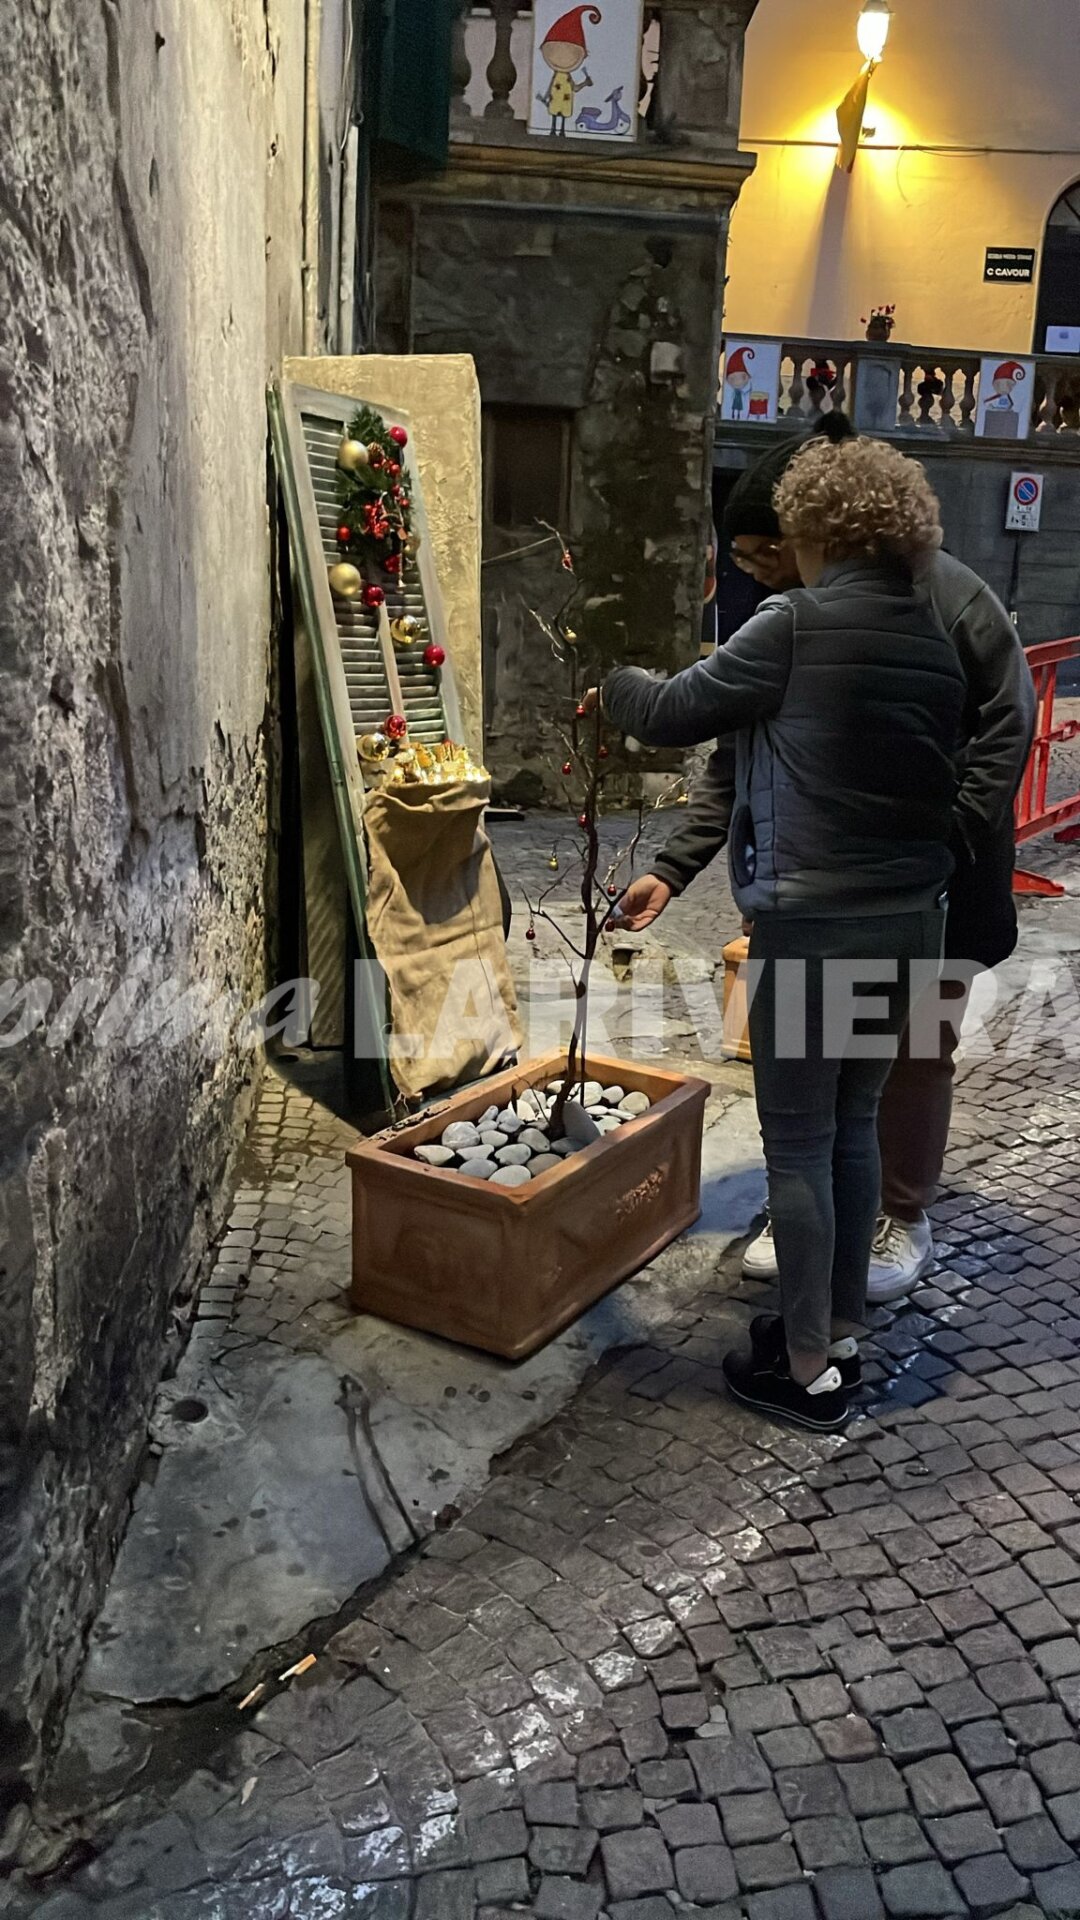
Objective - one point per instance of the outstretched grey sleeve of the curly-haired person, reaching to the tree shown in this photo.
(741, 683)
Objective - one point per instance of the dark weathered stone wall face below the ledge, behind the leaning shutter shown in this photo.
(589, 312)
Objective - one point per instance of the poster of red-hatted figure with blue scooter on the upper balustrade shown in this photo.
(587, 70)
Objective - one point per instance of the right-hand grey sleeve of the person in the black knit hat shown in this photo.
(1002, 713)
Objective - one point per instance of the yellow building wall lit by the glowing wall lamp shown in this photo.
(977, 132)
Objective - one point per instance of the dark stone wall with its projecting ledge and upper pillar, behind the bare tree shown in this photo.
(591, 283)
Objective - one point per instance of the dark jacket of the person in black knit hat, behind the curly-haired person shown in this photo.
(996, 742)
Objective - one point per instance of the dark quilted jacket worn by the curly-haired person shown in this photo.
(847, 702)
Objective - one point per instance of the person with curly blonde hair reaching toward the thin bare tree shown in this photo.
(843, 709)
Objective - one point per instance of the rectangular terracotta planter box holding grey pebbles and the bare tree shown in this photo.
(506, 1268)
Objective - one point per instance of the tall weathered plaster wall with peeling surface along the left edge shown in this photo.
(151, 281)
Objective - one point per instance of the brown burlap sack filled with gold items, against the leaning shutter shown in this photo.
(435, 924)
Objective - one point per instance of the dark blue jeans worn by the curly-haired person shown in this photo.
(820, 1105)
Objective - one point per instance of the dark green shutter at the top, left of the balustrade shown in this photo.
(412, 87)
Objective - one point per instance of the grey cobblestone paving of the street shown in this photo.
(675, 1660)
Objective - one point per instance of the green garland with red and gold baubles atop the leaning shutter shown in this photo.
(376, 494)
